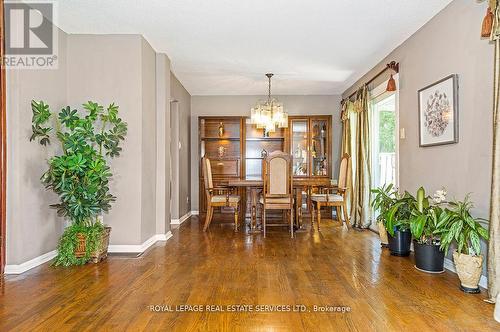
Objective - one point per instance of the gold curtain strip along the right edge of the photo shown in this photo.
(494, 242)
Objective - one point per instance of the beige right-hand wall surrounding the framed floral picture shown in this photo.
(448, 44)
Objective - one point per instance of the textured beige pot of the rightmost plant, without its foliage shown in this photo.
(469, 271)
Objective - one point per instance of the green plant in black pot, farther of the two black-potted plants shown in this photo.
(397, 223)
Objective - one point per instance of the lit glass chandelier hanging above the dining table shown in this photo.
(269, 114)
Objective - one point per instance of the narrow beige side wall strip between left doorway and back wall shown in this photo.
(179, 93)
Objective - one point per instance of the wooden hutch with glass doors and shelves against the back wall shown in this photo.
(236, 148)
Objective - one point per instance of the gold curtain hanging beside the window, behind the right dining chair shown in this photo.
(356, 142)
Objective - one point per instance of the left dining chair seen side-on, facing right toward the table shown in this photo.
(218, 196)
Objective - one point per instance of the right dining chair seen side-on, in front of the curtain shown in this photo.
(333, 196)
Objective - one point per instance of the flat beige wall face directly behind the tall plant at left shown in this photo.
(108, 69)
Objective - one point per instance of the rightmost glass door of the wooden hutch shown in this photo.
(319, 147)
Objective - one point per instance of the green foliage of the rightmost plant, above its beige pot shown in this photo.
(464, 230)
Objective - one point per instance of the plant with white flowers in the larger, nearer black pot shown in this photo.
(427, 223)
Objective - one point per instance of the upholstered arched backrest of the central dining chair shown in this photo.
(277, 175)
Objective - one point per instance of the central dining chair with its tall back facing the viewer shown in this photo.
(277, 193)
